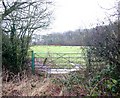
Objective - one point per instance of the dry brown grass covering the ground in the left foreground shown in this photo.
(33, 85)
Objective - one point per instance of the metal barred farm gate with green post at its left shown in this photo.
(65, 60)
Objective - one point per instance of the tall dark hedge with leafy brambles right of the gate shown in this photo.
(102, 75)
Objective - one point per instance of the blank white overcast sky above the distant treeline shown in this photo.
(74, 14)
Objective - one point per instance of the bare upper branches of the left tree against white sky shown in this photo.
(27, 16)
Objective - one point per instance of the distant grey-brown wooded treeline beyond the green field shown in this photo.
(85, 37)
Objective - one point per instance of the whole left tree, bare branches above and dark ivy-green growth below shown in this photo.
(19, 21)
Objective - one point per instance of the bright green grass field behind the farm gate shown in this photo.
(61, 56)
